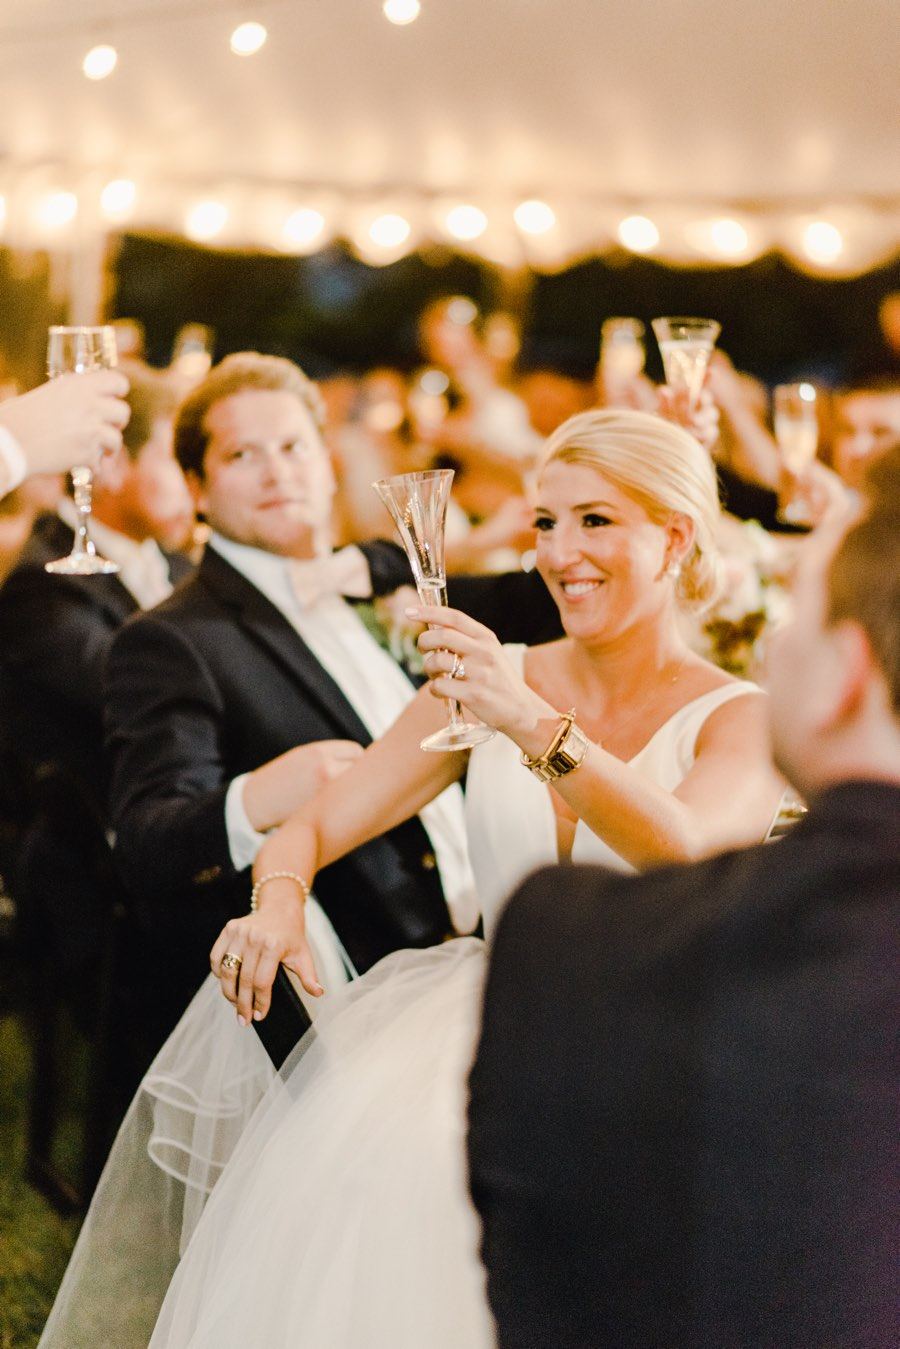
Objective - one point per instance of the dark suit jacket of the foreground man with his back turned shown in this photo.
(685, 1103)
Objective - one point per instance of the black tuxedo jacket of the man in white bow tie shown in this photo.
(211, 685)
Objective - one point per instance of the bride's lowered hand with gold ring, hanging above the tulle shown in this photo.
(261, 942)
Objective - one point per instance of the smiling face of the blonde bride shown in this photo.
(601, 555)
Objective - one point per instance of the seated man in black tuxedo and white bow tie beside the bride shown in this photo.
(208, 694)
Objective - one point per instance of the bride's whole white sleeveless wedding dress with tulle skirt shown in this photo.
(342, 1219)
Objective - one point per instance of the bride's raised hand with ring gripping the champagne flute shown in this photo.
(486, 683)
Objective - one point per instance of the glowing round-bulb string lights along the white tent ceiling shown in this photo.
(57, 206)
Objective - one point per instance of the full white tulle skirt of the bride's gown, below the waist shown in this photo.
(342, 1219)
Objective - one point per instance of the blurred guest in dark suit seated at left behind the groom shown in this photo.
(56, 633)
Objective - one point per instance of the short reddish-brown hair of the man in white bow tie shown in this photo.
(234, 374)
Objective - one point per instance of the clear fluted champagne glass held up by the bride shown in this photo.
(418, 504)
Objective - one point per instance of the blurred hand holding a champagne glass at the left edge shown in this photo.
(64, 423)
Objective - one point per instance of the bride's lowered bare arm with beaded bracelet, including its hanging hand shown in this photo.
(391, 783)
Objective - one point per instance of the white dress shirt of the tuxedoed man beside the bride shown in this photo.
(376, 689)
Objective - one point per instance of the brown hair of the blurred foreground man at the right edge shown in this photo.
(864, 583)
